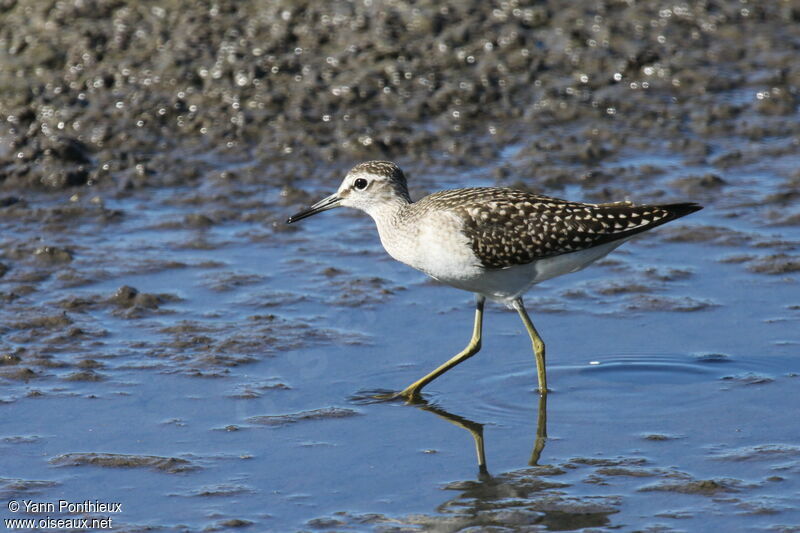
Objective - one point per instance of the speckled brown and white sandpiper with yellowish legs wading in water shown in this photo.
(494, 242)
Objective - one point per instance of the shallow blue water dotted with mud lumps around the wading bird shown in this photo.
(229, 385)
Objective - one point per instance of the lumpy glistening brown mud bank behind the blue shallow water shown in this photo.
(127, 94)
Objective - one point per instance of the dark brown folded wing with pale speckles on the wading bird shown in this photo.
(507, 227)
